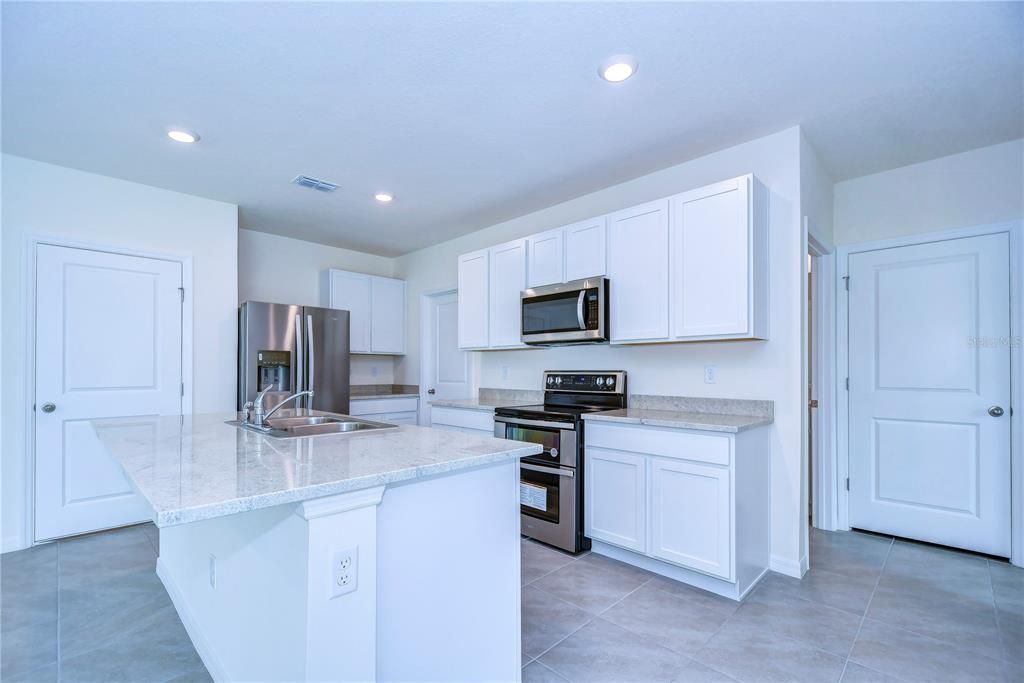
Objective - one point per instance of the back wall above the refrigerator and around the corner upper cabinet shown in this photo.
(286, 271)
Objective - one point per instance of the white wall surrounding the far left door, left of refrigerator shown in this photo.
(65, 204)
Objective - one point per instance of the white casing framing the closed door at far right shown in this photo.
(1015, 230)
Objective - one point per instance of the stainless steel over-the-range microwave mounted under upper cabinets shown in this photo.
(576, 313)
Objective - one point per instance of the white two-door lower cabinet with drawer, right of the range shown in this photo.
(689, 504)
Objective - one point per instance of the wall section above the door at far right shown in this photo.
(976, 188)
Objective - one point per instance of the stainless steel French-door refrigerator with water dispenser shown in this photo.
(294, 349)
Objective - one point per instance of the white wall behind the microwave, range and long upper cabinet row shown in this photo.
(746, 370)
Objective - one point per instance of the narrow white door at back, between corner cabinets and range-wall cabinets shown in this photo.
(447, 370)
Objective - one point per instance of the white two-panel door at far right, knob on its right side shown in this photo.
(929, 376)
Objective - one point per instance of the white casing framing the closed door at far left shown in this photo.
(31, 245)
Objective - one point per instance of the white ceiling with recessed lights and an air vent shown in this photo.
(473, 114)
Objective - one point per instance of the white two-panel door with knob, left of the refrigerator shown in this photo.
(108, 346)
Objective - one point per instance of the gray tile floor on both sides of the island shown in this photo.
(872, 610)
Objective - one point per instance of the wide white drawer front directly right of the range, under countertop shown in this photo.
(661, 442)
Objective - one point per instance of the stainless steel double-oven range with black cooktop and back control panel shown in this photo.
(551, 484)
